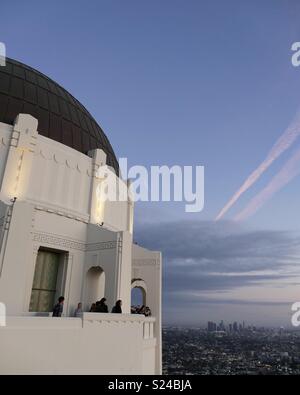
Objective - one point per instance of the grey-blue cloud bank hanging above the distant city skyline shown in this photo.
(205, 262)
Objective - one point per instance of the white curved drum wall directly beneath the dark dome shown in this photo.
(49, 174)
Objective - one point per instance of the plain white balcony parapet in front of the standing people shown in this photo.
(94, 344)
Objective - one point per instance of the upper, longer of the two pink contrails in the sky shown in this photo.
(283, 143)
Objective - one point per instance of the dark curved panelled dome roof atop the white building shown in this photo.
(61, 117)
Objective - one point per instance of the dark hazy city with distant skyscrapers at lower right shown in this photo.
(231, 349)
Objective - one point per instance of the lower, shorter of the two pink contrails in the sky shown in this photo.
(289, 171)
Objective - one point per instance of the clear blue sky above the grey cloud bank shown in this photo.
(192, 82)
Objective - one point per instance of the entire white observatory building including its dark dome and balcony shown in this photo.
(57, 238)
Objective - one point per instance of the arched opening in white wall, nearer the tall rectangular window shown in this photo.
(95, 286)
